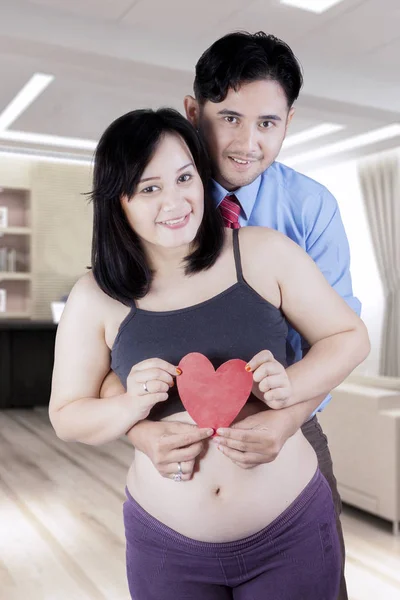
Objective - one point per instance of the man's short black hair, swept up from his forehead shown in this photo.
(243, 57)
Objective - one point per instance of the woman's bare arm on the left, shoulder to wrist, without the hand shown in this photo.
(82, 360)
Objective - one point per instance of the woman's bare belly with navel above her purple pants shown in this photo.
(223, 502)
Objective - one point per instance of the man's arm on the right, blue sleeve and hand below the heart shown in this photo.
(326, 243)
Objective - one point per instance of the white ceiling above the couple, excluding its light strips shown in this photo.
(110, 56)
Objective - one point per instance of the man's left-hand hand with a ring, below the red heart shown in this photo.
(168, 443)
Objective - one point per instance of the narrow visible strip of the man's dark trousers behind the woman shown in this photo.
(312, 430)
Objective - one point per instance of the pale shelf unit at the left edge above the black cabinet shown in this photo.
(16, 238)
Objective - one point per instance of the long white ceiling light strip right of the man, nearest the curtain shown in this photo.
(357, 141)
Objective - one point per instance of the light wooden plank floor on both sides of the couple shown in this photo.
(61, 532)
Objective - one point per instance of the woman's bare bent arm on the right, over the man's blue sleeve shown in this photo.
(337, 336)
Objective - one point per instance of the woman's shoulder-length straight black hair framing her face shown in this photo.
(119, 264)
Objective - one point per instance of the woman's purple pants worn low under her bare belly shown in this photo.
(296, 557)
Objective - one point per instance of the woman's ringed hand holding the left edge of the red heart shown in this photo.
(149, 383)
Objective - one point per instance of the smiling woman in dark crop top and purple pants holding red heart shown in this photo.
(167, 279)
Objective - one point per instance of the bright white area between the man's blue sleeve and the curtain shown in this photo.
(342, 181)
